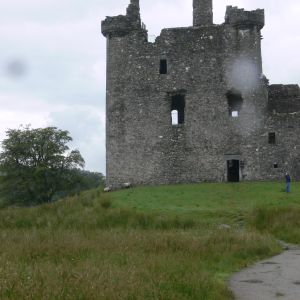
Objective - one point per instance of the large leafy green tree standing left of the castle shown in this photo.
(36, 164)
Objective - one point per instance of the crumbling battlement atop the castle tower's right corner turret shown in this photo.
(238, 17)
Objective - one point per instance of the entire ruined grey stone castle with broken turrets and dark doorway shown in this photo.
(194, 105)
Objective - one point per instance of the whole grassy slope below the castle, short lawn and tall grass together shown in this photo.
(164, 242)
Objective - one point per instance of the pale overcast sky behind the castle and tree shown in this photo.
(52, 59)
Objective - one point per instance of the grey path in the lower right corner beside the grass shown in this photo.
(274, 278)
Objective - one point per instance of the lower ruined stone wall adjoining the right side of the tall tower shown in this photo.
(284, 120)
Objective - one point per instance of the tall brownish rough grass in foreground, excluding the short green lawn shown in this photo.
(89, 247)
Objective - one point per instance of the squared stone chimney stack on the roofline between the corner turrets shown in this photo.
(203, 13)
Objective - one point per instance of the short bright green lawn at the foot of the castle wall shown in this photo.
(208, 202)
